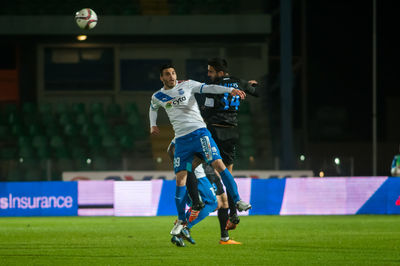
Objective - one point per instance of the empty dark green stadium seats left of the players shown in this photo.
(37, 139)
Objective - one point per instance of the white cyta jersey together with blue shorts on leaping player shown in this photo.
(191, 134)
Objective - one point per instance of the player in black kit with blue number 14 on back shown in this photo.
(219, 111)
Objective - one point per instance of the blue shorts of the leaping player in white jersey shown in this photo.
(199, 142)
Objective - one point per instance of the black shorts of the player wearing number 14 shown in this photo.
(226, 139)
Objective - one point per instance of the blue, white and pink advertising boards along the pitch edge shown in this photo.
(287, 196)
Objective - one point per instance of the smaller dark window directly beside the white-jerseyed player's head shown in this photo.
(141, 74)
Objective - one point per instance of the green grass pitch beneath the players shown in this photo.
(267, 240)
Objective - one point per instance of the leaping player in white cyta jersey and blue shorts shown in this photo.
(191, 134)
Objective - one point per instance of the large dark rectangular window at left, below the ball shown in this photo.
(83, 69)
